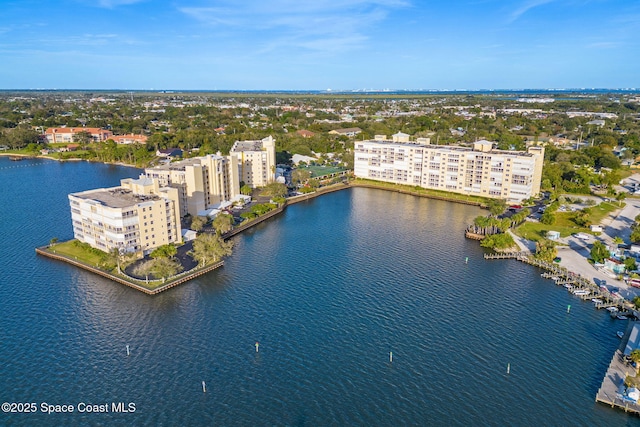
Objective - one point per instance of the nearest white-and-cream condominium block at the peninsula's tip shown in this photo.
(137, 216)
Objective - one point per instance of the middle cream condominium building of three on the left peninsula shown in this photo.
(202, 182)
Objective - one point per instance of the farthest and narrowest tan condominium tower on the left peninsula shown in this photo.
(256, 161)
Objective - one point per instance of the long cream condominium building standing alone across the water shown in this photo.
(479, 170)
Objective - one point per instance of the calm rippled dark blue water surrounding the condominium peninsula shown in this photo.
(328, 289)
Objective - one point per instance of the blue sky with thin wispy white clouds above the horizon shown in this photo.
(319, 44)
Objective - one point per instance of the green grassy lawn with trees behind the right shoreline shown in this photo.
(536, 230)
